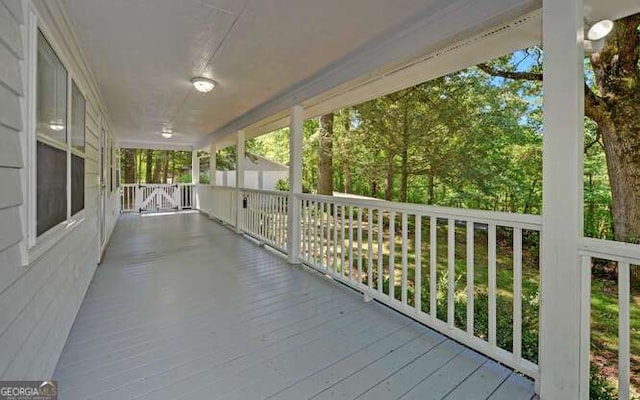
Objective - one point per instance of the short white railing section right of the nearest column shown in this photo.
(625, 257)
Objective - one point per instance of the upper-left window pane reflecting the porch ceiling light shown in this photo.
(52, 93)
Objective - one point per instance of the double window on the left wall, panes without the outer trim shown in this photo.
(60, 141)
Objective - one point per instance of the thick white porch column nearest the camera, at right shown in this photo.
(562, 199)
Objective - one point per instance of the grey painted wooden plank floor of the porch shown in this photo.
(183, 308)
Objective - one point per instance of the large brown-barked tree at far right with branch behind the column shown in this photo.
(612, 101)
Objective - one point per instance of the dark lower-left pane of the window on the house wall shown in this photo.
(51, 187)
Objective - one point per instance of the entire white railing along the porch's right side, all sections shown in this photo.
(425, 262)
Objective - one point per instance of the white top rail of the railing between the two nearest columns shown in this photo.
(526, 221)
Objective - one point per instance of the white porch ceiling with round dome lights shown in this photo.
(265, 55)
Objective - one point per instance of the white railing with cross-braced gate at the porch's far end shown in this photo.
(156, 197)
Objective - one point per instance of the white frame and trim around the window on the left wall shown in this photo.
(35, 245)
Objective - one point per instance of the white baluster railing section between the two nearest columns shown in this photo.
(377, 247)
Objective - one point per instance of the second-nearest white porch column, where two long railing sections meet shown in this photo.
(295, 184)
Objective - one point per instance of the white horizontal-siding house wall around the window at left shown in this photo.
(39, 296)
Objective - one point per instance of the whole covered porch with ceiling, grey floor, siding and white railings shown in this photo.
(229, 292)
